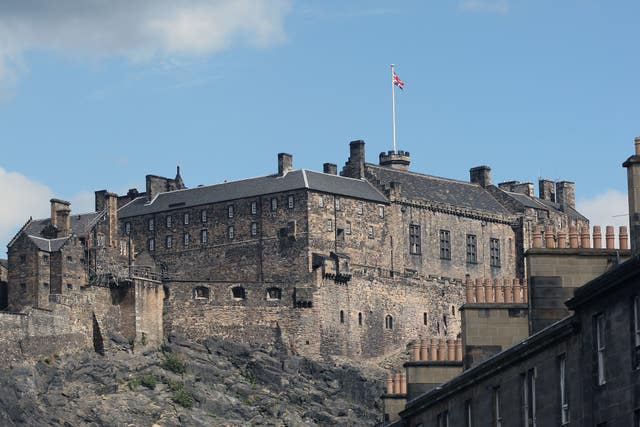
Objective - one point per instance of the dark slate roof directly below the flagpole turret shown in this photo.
(439, 190)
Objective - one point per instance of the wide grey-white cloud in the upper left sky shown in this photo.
(138, 30)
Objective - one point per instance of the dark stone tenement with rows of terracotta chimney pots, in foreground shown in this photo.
(568, 354)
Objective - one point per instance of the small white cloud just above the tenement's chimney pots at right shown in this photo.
(608, 208)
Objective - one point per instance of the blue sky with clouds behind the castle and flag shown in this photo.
(97, 94)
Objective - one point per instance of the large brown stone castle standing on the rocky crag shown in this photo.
(357, 264)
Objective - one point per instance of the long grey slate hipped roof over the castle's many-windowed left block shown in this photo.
(252, 187)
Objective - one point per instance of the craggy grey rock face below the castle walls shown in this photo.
(225, 383)
